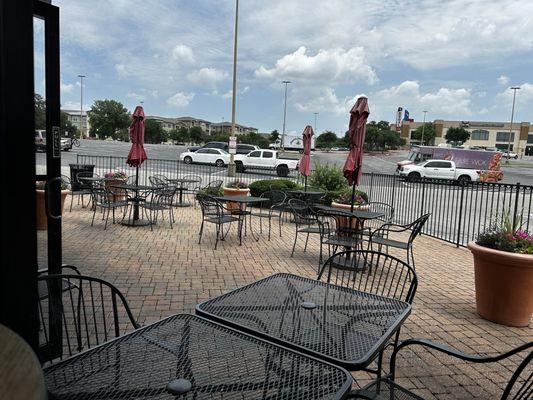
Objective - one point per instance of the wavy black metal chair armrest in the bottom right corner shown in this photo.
(454, 353)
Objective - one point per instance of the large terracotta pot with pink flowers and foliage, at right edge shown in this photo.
(503, 268)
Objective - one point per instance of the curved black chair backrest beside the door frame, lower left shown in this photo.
(78, 312)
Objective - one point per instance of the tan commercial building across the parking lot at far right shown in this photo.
(483, 134)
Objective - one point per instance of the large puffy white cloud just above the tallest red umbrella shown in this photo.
(326, 66)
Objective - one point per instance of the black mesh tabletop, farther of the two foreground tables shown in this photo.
(341, 325)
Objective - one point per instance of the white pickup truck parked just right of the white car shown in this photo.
(265, 159)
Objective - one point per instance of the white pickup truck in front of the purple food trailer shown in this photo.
(438, 169)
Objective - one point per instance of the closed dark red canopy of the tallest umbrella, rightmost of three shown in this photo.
(358, 116)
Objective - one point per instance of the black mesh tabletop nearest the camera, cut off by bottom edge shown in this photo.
(219, 363)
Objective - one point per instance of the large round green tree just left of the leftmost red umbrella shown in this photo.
(108, 118)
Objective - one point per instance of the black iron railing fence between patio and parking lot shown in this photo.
(458, 212)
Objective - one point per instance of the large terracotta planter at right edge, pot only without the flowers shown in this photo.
(504, 285)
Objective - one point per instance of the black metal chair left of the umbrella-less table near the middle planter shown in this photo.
(214, 212)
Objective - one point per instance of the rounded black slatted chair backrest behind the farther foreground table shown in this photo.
(372, 272)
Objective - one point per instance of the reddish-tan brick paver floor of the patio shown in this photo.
(166, 272)
